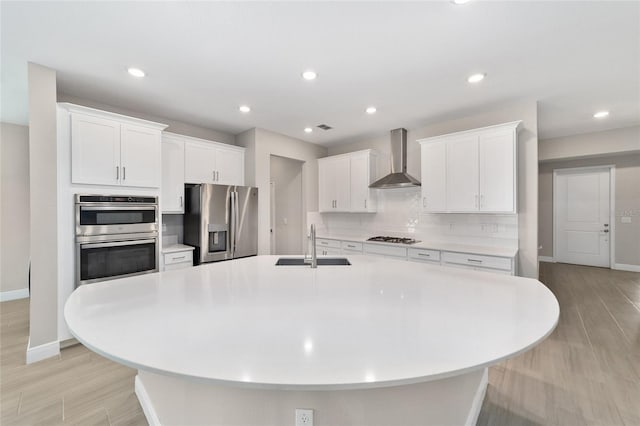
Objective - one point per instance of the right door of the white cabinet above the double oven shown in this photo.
(140, 156)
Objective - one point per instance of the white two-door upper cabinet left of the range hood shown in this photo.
(344, 182)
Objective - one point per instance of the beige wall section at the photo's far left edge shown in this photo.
(14, 199)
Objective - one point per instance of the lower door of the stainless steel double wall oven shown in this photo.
(104, 259)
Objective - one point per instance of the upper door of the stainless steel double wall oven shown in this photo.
(96, 219)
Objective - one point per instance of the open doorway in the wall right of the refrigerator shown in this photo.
(287, 221)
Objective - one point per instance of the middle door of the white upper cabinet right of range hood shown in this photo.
(462, 174)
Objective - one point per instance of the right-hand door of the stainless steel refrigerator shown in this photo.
(244, 238)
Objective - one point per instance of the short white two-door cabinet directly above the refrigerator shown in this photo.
(211, 162)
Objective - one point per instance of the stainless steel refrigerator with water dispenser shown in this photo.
(221, 221)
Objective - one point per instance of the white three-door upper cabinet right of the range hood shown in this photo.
(471, 171)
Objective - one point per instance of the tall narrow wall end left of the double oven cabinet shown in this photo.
(43, 175)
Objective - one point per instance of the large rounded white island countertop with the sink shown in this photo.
(250, 323)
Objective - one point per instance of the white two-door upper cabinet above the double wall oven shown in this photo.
(112, 149)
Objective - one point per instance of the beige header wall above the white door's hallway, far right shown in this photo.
(596, 144)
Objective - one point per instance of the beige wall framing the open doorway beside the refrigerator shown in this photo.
(261, 144)
